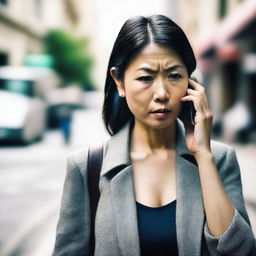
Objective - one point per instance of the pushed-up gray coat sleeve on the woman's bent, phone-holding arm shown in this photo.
(238, 239)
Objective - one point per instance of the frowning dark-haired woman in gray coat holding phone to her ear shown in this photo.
(166, 188)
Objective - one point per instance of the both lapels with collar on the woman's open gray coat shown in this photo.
(189, 211)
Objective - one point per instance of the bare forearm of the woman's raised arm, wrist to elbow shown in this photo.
(219, 209)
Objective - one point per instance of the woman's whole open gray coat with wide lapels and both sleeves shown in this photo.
(116, 220)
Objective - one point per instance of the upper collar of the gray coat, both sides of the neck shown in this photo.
(116, 153)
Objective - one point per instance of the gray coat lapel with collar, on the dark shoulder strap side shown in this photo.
(117, 169)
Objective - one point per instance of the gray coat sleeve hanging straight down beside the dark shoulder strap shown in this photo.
(73, 228)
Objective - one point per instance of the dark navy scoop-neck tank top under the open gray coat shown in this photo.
(157, 230)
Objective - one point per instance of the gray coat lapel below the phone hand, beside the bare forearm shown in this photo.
(190, 210)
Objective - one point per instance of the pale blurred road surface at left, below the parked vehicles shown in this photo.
(31, 180)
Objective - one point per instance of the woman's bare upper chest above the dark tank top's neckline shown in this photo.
(155, 180)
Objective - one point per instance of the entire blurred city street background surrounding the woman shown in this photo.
(53, 60)
